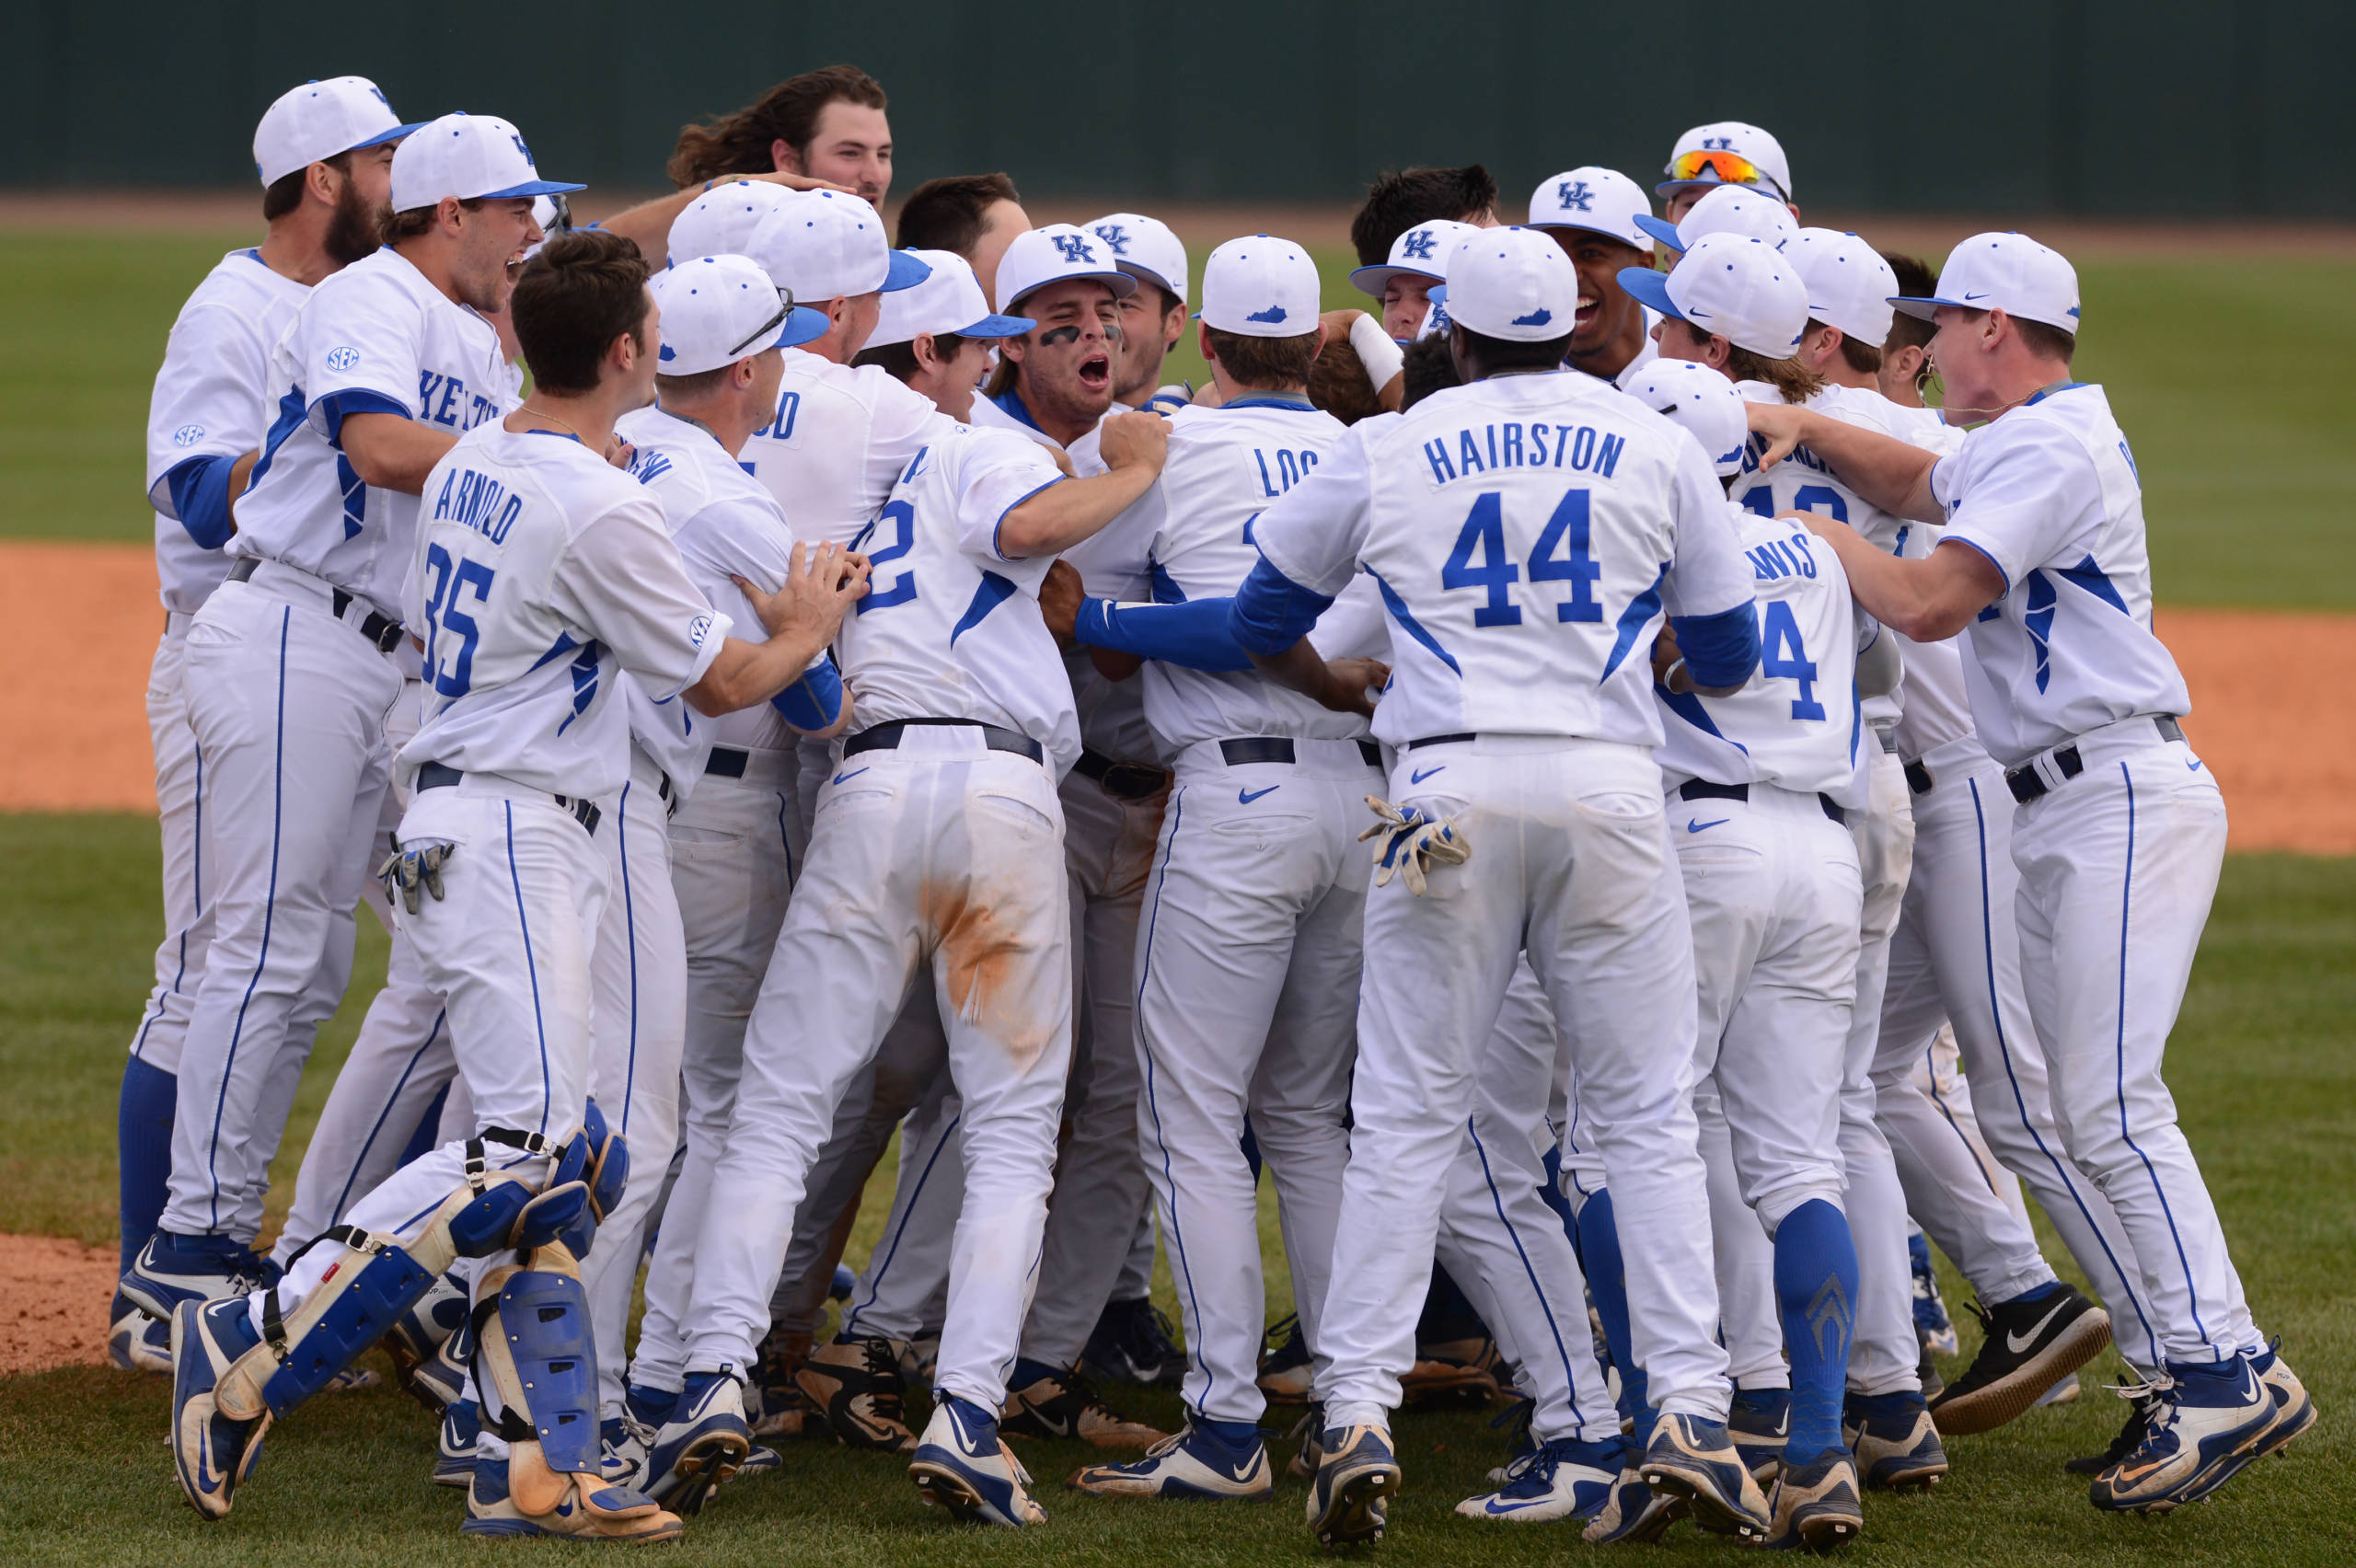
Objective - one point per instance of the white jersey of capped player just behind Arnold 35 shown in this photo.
(727, 526)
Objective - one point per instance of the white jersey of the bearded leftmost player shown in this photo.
(213, 401)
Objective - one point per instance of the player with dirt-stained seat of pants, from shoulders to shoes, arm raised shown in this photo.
(939, 842)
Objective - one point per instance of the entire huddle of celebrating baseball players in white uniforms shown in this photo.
(1629, 818)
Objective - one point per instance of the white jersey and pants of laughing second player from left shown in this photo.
(291, 675)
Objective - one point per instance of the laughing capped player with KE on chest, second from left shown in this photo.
(298, 658)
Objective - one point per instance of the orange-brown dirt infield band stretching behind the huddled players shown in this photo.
(79, 627)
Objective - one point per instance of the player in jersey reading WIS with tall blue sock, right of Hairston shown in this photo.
(1766, 780)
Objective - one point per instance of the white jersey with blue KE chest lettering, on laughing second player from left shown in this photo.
(371, 340)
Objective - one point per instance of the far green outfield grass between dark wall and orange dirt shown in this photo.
(2213, 368)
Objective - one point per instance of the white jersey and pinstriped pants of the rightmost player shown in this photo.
(2070, 689)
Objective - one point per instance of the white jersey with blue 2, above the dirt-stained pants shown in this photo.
(951, 627)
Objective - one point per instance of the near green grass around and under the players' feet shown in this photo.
(2263, 1072)
